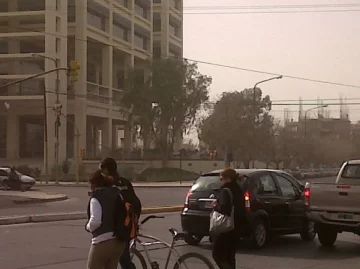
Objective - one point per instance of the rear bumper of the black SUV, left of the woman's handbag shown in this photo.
(195, 222)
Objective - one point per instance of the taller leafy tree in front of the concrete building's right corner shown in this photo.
(166, 103)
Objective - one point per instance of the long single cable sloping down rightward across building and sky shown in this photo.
(206, 62)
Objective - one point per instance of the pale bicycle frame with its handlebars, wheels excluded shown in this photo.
(155, 241)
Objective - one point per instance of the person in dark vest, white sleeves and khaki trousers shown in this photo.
(106, 214)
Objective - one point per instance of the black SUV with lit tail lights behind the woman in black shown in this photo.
(274, 202)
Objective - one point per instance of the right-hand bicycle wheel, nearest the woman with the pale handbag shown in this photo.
(193, 260)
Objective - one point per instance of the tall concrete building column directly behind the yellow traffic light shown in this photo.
(80, 87)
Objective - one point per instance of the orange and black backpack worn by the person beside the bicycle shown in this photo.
(129, 218)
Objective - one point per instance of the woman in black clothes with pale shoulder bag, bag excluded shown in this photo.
(230, 197)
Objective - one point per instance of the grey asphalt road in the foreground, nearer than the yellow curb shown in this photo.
(64, 245)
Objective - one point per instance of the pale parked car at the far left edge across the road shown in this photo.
(25, 182)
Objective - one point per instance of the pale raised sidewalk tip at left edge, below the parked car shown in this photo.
(30, 197)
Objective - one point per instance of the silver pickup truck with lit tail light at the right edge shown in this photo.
(335, 207)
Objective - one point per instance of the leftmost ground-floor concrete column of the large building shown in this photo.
(12, 137)
